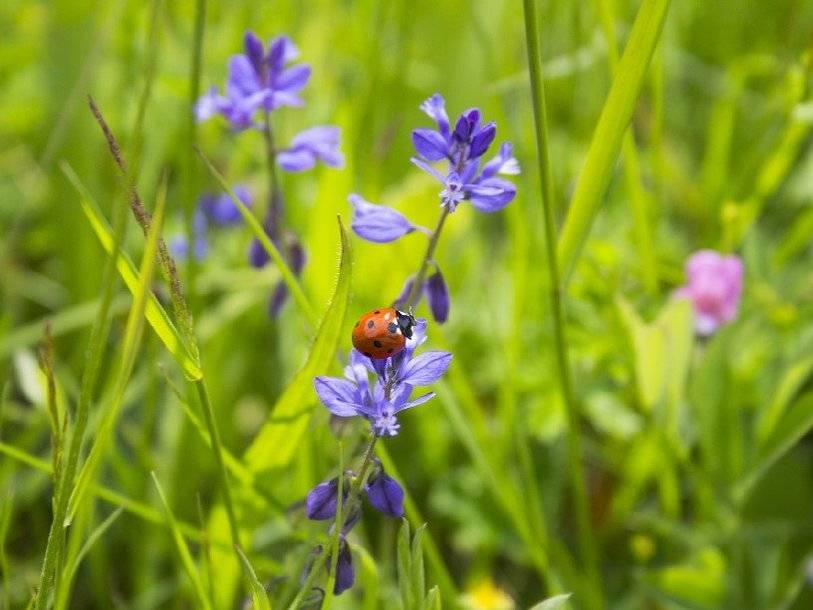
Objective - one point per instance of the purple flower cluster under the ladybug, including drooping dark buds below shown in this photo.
(378, 400)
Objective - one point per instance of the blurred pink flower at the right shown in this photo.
(714, 286)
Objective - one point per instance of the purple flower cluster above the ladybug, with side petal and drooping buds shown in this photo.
(462, 180)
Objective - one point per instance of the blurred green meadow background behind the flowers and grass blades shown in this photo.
(698, 460)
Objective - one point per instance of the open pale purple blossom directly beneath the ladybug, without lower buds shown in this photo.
(388, 395)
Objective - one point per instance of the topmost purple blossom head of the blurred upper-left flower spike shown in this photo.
(256, 80)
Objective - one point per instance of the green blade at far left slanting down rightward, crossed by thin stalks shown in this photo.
(155, 314)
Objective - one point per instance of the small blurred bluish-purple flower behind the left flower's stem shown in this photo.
(211, 210)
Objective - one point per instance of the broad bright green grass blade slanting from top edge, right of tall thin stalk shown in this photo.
(607, 137)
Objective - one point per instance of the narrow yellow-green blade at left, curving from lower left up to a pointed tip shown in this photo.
(132, 340)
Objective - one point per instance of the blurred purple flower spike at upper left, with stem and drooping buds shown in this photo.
(260, 81)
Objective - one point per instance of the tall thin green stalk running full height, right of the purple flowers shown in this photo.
(574, 443)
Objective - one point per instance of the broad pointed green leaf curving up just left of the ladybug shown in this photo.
(279, 437)
